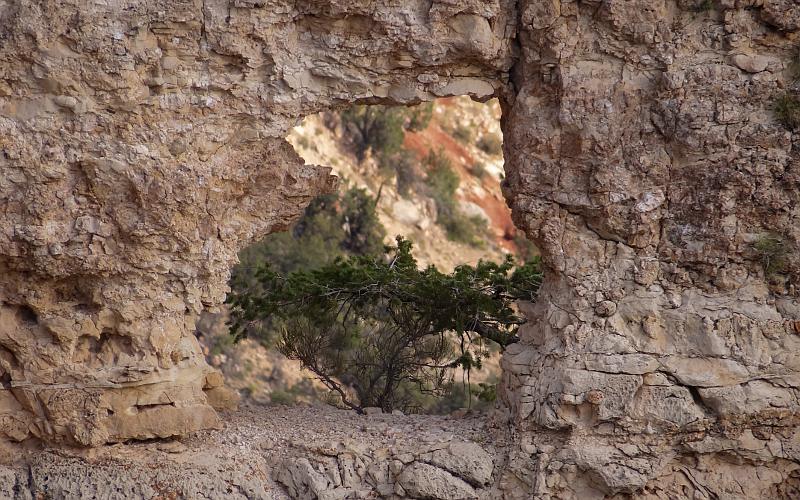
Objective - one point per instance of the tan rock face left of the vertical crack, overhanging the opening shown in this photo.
(141, 146)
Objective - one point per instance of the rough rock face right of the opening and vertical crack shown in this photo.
(645, 161)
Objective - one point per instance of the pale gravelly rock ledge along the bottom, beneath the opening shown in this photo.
(275, 452)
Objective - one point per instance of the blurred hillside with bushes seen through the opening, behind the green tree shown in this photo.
(430, 173)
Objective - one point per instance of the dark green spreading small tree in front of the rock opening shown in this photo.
(378, 330)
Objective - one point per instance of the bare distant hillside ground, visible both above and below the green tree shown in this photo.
(468, 134)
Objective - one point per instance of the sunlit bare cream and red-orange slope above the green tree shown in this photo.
(457, 127)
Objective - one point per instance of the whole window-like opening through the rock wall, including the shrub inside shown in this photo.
(337, 310)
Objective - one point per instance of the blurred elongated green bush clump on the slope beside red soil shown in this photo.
(442, 184)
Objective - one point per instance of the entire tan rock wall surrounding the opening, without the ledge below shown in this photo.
(142, 145)
